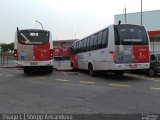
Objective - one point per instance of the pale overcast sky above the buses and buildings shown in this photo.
(64, 18)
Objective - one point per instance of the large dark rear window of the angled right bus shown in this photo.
(130, 35)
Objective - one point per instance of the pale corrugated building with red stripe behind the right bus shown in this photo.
(151, 21)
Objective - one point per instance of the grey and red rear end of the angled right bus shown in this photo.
(131, 46)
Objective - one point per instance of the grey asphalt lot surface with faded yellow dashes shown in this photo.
(77, 92)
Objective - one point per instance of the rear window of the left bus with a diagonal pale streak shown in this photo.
(33, 37)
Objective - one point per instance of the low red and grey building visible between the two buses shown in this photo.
(61, 53)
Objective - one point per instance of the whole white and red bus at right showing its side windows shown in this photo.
(115, 49)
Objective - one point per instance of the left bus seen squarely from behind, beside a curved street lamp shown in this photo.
(33, 50)
